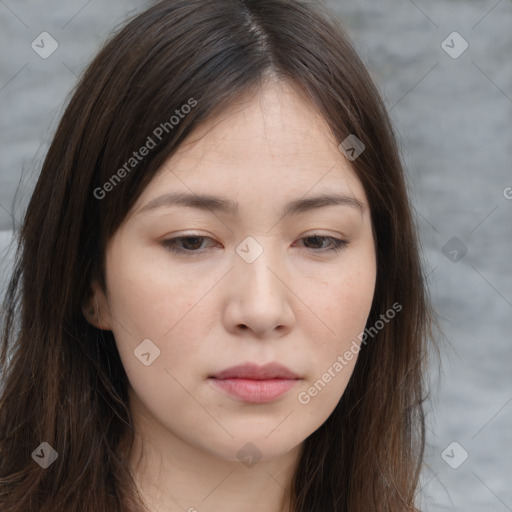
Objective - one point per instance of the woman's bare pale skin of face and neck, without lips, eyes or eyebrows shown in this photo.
(297, 303)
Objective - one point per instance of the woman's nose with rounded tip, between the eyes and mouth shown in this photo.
(259, 298)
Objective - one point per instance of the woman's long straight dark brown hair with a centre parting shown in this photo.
(63, 381)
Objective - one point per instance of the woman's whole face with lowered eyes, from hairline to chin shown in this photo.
(260, 282)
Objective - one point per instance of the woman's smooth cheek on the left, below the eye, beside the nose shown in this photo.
(151, 300)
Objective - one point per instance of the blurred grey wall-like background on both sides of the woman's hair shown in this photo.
(452, 110)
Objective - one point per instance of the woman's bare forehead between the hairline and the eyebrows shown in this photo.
(273, 144)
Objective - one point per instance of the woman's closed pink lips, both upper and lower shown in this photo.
(255, 384)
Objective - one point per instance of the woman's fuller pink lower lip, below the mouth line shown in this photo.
(255, 391)
